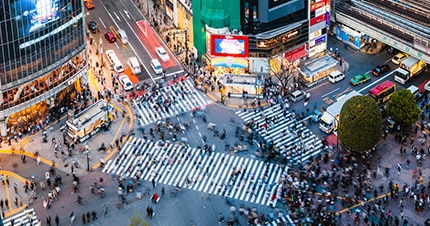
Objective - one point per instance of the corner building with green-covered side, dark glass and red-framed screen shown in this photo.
(251, 36)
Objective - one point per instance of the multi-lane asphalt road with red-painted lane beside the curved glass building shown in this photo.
(142, 39)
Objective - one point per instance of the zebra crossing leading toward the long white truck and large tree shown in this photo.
(281, 128)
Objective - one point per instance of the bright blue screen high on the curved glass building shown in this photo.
(33, 15)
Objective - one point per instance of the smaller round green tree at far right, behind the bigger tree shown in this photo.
(403, 108)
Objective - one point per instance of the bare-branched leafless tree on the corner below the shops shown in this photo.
(283, 71)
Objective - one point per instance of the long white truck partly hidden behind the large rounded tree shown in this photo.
(330, 118)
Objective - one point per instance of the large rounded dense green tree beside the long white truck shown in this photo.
(360, 124)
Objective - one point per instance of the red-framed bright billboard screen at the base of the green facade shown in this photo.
(226, 45)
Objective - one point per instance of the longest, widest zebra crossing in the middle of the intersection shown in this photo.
(213, 173)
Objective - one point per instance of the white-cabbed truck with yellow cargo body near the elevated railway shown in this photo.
(409, 68)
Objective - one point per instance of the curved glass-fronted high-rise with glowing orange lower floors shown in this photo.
(42, 61)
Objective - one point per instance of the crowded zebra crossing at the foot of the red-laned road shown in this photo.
(170, 100)
